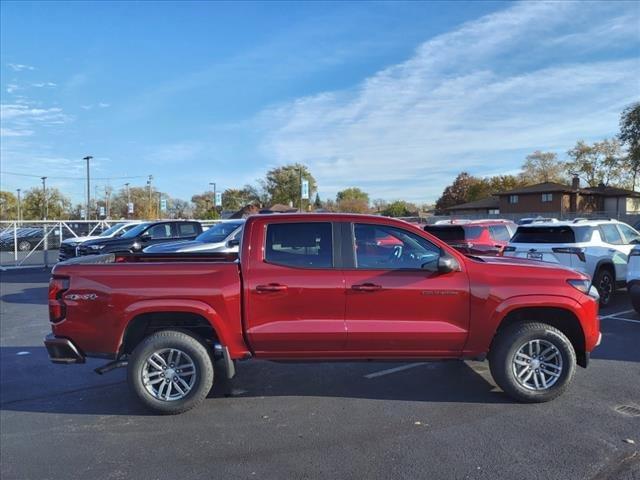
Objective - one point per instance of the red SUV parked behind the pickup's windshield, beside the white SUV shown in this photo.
(478, 237)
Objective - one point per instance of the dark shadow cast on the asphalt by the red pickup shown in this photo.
(30, 383)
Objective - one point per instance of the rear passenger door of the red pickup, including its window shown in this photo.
(295, 295)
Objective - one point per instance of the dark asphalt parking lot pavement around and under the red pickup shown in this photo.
(316, 420)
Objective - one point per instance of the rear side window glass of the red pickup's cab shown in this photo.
(299, 244)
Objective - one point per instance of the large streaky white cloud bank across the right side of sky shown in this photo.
(475, 98)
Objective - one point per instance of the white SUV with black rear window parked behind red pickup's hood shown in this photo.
(599, 248)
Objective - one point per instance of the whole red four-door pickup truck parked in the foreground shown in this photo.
(321, 287)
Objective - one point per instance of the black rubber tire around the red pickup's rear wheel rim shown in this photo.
(187, 344)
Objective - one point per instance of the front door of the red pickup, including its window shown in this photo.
(398, 304)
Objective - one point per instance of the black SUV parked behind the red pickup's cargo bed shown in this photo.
(142, 236)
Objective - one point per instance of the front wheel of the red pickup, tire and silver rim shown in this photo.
(532, 362)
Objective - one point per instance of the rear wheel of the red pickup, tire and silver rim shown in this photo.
(170, 372)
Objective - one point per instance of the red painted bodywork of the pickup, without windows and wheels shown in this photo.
(278, 312)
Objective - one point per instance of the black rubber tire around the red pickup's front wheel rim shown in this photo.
(503, 352)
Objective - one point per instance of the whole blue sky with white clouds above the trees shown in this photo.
(395, 98)
